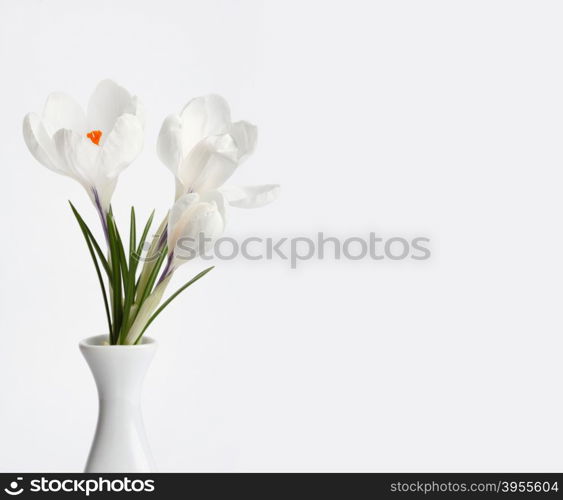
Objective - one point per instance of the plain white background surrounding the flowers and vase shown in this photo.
(441, 119)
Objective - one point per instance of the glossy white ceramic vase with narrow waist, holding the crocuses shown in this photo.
(120, 444)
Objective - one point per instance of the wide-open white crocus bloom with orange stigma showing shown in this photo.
(93, 147)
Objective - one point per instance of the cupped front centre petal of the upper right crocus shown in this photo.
(209, 164)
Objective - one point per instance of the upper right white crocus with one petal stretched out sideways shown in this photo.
(203, 148)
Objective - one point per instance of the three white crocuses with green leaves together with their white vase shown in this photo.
(202, 147)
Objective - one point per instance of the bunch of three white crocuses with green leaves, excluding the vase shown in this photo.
(200, 146)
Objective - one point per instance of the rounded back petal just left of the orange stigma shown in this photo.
(62, 111)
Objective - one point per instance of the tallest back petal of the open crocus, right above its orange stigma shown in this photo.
(108, 102)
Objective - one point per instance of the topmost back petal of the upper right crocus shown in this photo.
(202, 117)
